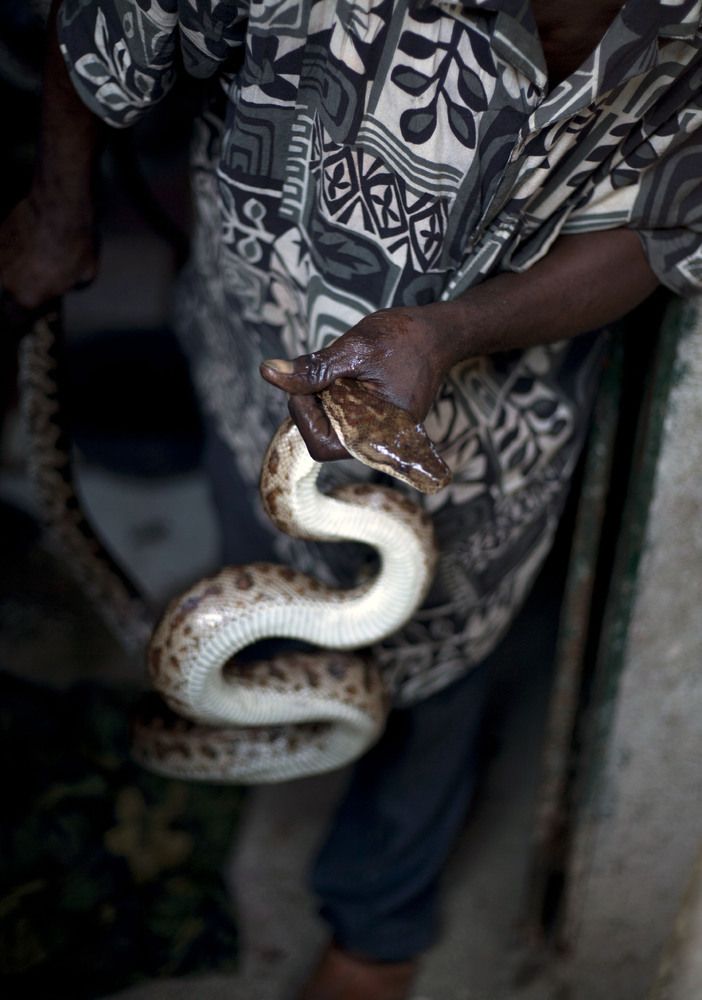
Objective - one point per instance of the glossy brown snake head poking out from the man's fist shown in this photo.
(383, 436)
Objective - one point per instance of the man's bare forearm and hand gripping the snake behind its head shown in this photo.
(583, 283)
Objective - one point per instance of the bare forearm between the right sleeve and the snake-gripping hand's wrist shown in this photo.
(584, 282)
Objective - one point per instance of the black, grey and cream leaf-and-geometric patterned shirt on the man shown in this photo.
(360, 154)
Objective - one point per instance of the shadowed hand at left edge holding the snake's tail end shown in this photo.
(45, 251)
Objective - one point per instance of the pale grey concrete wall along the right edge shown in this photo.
(640, 821)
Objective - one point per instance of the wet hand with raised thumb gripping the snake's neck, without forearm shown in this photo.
(396, 352)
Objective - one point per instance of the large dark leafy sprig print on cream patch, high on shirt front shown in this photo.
(449, 85)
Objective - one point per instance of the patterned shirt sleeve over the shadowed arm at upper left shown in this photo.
(122, 54)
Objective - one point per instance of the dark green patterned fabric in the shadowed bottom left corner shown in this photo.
(108, 874)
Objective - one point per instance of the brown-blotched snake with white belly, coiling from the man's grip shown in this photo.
(297, 713)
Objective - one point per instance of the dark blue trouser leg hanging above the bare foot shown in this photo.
(378, 870)
